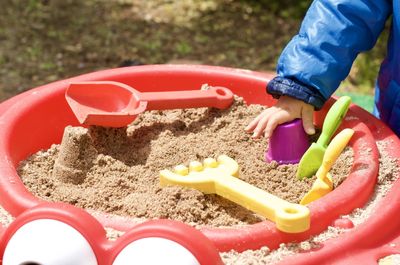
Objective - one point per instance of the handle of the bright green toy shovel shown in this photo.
(333, 119)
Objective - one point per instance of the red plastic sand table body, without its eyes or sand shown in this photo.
(36, 119)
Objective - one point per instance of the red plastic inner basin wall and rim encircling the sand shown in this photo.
(36, 119)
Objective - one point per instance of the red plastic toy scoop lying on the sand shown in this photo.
(114, 104)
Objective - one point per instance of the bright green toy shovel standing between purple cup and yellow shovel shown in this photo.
(312, 158)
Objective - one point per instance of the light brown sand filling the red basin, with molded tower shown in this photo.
(122, 175)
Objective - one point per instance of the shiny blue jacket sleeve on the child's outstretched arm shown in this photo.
(331, 35)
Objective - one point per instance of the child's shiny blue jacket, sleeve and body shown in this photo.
(332, 34)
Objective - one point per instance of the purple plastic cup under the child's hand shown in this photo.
(288, 143)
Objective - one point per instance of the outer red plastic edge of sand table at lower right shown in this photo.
(379, 235)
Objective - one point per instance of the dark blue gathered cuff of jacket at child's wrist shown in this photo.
(279, 86)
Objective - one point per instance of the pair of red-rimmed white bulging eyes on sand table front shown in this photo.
(60, 234)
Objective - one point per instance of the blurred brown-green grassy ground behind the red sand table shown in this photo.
(44, 41)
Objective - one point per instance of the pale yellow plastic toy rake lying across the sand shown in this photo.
(220, 177)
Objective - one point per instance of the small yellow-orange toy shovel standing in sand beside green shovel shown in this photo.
(323, 184)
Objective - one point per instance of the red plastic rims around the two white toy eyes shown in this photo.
(106, 251)
